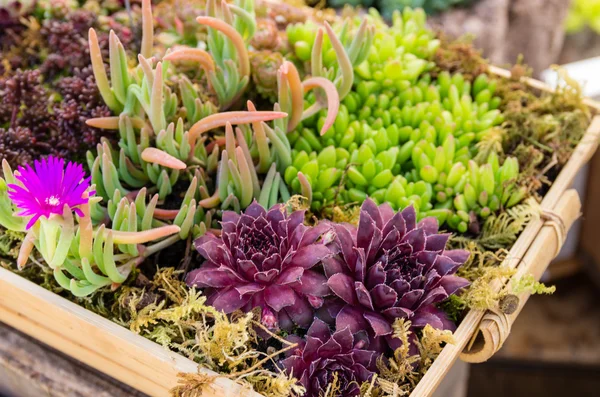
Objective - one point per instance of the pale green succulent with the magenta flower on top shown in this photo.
(42, 200)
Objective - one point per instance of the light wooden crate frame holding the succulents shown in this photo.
(150, 368)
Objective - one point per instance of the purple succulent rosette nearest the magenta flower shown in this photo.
(264, 259)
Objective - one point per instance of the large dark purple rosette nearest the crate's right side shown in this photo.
(390, 267)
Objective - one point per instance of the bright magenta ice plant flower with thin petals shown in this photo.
(45, 189)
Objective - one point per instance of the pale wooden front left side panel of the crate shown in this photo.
(68, 326)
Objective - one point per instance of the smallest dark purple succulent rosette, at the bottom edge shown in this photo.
(321, 355)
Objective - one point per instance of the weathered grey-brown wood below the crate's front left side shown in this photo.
(30, 369)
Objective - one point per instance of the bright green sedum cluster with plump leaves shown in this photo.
(402, 136)
